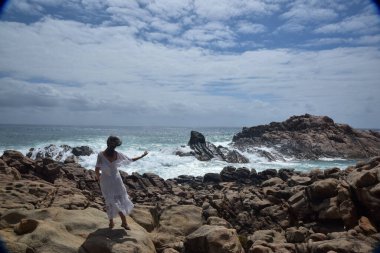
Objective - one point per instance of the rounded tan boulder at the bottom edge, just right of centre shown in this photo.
(213, 239)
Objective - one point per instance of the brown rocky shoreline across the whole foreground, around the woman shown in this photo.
(50, 206)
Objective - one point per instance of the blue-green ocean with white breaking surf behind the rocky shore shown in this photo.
(160, 142)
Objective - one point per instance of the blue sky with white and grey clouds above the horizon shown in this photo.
(189, 62)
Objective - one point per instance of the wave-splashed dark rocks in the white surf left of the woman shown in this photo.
(60, 153)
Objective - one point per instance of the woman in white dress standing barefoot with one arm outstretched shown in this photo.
(111, 184)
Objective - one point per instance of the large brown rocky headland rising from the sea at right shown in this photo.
(310, 137)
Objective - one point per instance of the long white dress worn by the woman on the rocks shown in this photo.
(112, 186)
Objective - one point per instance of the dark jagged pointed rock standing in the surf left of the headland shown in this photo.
(205, 151)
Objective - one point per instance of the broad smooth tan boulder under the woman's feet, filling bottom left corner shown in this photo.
(61, 230)
